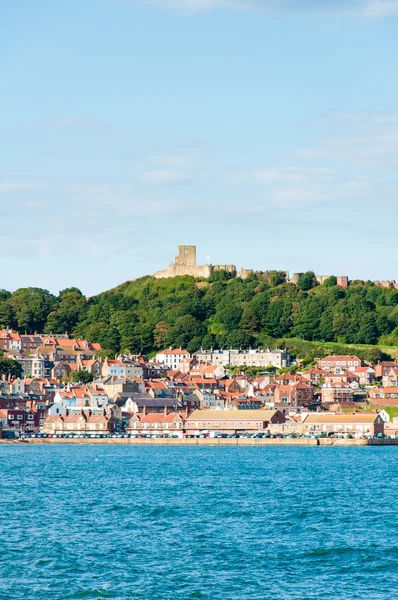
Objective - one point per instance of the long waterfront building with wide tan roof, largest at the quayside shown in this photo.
(231, 421)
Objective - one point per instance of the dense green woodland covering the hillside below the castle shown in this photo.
(149, 314)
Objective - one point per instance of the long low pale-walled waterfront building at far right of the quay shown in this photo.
(356, 424)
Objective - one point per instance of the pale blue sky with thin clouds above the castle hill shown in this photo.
(265, 132)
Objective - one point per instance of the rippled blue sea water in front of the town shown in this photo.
(187, 523)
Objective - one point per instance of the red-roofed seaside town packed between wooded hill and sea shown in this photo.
(65, 389)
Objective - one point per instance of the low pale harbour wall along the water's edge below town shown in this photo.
(207, 441)
